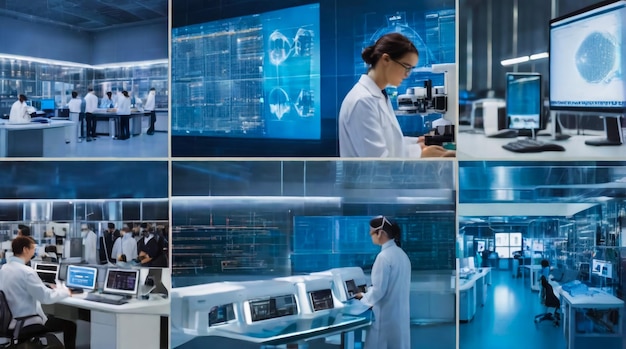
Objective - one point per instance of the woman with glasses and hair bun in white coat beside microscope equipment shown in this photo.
(368, 126)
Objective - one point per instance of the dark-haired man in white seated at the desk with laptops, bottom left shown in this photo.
(25, 292)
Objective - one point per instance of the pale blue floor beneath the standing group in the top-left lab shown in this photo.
(140, 146)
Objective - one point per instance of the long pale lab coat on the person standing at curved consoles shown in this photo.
(389, 296)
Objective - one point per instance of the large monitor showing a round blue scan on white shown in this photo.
(586, 59)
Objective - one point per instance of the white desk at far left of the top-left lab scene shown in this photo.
(34, 139)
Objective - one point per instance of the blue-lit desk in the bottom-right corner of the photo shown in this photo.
(588, 319)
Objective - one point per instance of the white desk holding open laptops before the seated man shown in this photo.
(132, 325)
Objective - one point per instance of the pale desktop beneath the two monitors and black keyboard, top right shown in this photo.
(479, 147)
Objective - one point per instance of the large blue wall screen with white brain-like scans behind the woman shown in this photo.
(256, 76)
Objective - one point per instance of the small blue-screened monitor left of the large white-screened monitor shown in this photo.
(524, 102)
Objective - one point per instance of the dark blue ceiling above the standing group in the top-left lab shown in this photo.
(87, 15)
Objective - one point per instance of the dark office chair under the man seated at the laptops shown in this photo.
(24, 337)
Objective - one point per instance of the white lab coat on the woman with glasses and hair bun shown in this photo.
(368, 126)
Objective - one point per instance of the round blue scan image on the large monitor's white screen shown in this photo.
(595, 57)
